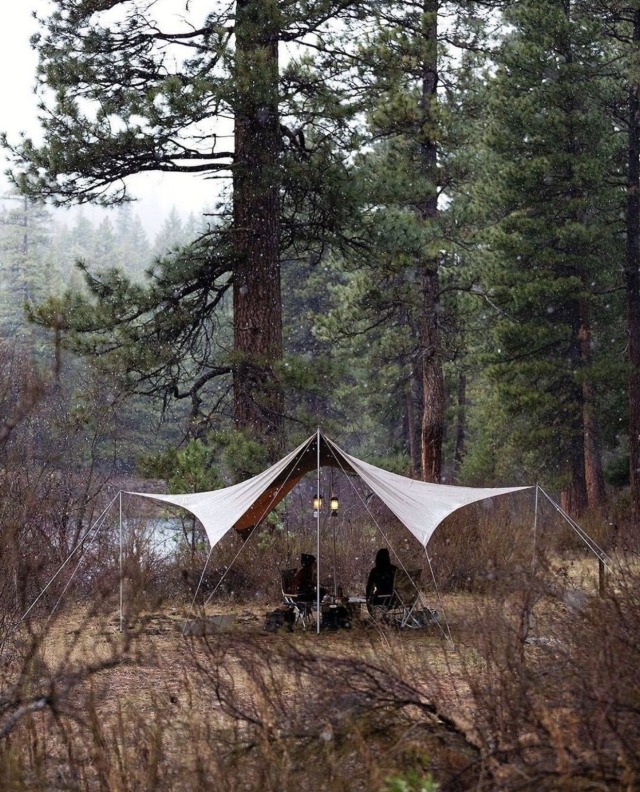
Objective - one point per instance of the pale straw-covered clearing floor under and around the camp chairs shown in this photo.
(162, 637)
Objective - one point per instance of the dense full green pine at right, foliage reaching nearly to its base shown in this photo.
(548, 179)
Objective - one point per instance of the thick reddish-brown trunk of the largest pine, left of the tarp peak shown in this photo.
(257, 308)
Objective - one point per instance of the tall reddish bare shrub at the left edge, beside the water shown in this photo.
(54, 467)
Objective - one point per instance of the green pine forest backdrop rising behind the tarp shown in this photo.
(445, 193)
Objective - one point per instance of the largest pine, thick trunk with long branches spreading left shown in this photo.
(133, 95)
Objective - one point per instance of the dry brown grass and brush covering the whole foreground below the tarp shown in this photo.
(531, 686)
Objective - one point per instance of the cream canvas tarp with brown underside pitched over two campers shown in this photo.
(420, 506)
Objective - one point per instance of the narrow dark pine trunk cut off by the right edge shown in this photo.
(633, 285)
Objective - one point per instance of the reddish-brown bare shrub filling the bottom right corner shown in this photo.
(555, 700)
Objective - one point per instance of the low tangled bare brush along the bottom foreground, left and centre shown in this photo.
(240, 718)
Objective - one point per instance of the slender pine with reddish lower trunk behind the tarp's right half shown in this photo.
(416, 126)
